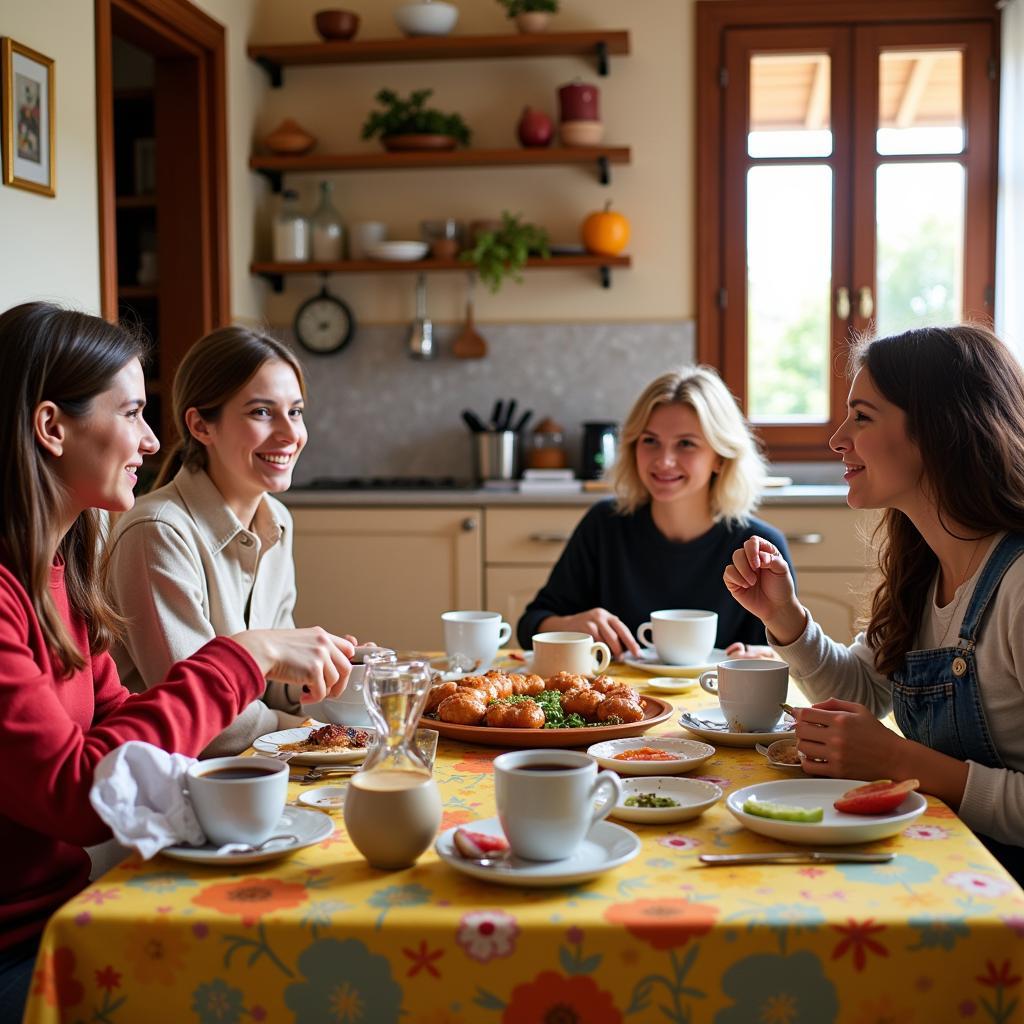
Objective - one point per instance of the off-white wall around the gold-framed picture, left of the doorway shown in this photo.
(50, 247)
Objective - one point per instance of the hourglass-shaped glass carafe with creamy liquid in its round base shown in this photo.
(393, 807)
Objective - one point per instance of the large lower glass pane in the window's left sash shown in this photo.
(789, 288)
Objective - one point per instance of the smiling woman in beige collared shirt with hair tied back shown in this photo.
(209, 552)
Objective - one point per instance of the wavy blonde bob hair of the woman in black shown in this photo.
(736, 489)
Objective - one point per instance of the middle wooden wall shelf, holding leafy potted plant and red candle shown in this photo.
(602, 157)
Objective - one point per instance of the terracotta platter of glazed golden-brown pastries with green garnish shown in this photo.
(566, 710)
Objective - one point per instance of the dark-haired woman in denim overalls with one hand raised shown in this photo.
(935, 437)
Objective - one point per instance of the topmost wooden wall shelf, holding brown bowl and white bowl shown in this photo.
(275, 58)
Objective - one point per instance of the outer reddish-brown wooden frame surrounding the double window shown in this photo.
(713, 19)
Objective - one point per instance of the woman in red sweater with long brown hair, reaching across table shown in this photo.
(72, 432)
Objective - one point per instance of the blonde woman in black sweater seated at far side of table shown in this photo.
(687, 480)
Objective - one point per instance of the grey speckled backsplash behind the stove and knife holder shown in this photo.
(375, 412)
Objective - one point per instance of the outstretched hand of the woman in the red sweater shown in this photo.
(318, 660)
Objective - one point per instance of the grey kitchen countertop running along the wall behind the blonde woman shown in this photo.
(817, 494)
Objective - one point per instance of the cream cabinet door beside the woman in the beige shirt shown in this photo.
(388, 574)
